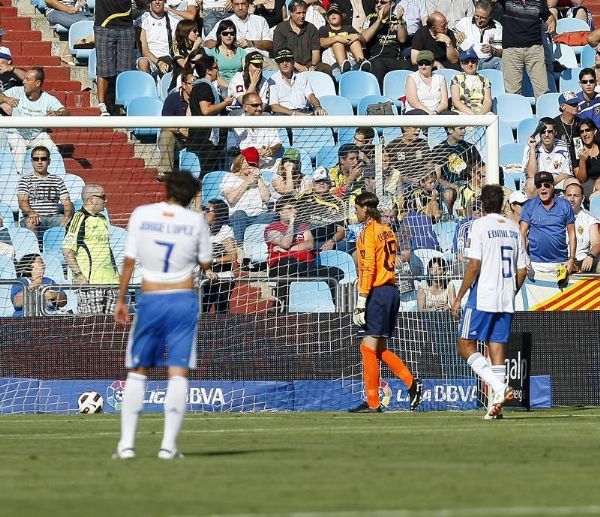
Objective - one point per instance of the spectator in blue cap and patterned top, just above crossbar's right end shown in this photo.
(471, 92)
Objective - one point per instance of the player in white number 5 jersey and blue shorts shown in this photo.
(494, 274)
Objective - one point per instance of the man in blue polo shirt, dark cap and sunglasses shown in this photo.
(545, 220)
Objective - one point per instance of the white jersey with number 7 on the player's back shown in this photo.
(168, 240)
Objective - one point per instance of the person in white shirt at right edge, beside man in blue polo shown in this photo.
(587, 232)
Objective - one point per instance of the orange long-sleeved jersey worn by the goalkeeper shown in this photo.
(376, 247)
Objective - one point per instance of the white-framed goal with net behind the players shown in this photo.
(275, 330)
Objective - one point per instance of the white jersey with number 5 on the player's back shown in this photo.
(495, 241)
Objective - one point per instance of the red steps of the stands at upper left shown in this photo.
(99, 156)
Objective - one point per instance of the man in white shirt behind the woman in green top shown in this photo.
(252, 30)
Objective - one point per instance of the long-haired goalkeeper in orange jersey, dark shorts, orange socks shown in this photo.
(378, 302)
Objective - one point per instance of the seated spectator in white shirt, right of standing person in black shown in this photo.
(156, 40)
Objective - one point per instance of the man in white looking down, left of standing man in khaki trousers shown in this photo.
(481, 34)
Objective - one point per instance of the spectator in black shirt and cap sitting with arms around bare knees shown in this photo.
(341, 42)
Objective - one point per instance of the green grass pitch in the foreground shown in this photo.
(307, 464)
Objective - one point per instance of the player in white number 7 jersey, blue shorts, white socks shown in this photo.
(169, 241)
